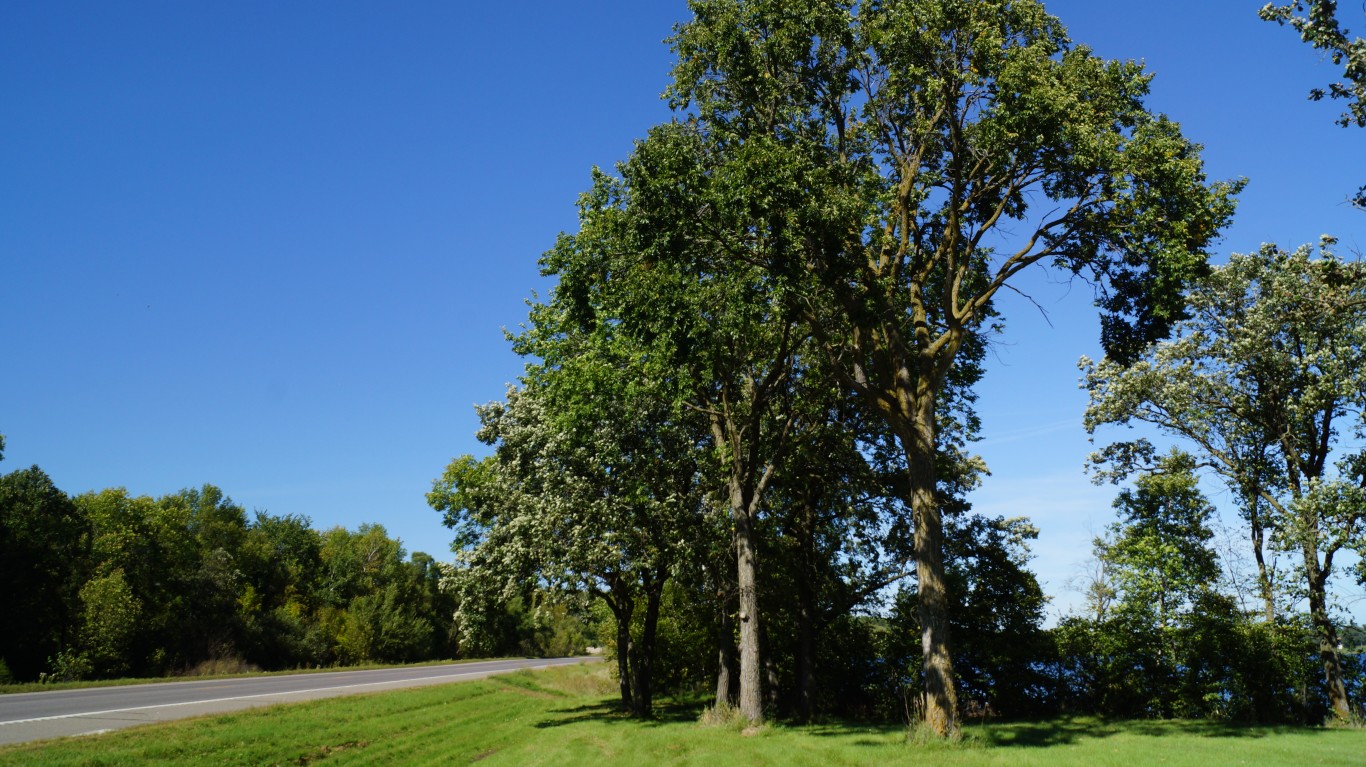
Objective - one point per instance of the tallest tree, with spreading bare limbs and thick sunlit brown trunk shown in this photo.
(908, 161)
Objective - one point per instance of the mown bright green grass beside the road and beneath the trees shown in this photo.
(566, 717)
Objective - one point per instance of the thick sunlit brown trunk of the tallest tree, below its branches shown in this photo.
(940, 695)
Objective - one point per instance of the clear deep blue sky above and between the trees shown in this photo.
(273, 245)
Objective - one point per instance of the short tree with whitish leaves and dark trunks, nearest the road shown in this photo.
(594, 489)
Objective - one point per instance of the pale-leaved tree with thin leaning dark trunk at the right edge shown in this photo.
(1263, 381)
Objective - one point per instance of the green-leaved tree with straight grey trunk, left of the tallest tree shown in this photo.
(703, 321)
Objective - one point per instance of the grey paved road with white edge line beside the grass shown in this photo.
(25, 717)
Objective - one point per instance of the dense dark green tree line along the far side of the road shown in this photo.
(109, 584)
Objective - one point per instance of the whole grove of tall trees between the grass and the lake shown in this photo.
(747, 416)
